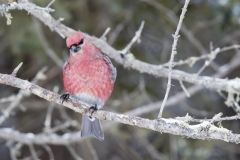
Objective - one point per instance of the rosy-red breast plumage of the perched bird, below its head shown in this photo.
(89, 72)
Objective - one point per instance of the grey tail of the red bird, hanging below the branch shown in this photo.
(91, 127)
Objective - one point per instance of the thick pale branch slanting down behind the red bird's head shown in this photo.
(128, 61)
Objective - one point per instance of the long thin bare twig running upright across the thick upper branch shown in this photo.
(173, 53)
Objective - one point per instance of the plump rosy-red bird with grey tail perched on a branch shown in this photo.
(88, 75)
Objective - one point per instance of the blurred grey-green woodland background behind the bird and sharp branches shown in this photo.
(208, 24)
